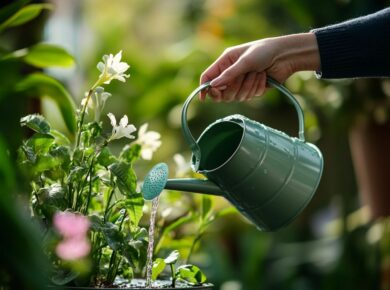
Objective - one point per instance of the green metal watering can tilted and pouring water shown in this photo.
(267, 175)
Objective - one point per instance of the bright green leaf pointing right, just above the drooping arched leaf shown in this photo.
(44, 55)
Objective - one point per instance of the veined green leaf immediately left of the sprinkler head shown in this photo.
(126, 178)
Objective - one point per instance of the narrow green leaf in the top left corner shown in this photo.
(24, 15)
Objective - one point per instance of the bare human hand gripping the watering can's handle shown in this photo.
(240, 72)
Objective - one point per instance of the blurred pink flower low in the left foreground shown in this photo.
(73, 228)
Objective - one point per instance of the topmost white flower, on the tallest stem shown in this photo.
(112, 68)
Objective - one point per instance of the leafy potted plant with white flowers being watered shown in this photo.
(86, 199)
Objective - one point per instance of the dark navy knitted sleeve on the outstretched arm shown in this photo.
(356, 48)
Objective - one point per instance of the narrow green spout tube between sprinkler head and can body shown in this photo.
(194, 185)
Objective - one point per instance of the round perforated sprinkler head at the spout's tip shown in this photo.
(155, 181)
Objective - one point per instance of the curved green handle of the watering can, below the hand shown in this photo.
(191, 140)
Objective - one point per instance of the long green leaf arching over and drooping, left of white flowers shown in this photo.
(41, 85)
